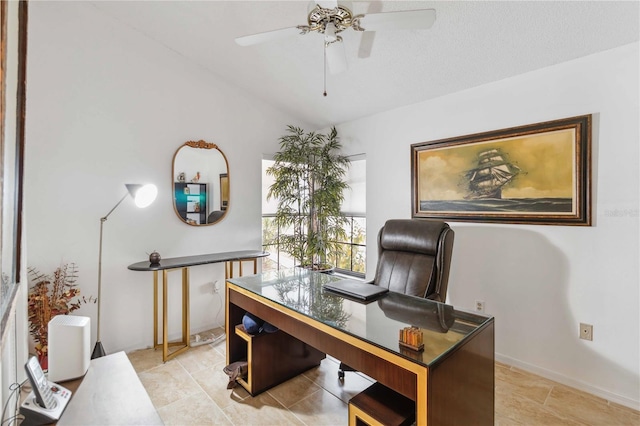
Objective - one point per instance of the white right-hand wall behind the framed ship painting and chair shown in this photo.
(539, 282)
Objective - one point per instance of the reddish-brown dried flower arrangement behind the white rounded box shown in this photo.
(51, 296)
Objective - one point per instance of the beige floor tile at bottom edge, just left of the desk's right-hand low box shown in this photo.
(321, 408)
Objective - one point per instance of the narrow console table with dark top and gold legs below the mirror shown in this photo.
(184, 263)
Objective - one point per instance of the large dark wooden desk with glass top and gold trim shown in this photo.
(451, 380)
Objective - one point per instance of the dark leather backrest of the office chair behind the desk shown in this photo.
(414, 257)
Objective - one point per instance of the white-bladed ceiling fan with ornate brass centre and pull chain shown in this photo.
(330, 17)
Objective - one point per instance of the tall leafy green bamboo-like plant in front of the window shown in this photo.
(308, 184)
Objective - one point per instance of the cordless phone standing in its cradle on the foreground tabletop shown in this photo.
(47, 400)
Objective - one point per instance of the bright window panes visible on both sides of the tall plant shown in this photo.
(350, 258)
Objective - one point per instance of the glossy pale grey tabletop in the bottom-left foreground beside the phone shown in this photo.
(109, 394)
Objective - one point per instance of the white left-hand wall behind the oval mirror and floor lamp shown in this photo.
(107, 106)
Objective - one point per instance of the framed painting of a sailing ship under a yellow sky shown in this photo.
(536, 174)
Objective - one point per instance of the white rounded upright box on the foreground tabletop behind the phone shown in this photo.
(69, 347)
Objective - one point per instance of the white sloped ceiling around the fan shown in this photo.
(471, 43)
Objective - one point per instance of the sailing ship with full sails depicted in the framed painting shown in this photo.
(491, 173)
